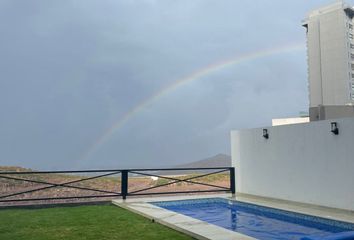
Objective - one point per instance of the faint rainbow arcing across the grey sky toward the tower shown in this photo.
(199, 74)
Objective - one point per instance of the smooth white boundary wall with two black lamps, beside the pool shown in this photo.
(302, 162)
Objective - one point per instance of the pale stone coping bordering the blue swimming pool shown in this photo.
(206, 231)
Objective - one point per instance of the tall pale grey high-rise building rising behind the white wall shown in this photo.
(330, 50)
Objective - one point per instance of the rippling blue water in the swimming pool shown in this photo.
(256, 221)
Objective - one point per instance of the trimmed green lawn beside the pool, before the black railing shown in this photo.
(83, 222)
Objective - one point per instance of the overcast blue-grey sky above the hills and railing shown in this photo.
(95, 84)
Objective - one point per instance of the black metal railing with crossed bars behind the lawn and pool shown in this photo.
(124, 176)
